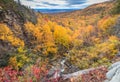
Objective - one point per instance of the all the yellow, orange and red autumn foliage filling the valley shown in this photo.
(86, 40)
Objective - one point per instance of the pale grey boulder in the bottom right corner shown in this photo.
(113, 74)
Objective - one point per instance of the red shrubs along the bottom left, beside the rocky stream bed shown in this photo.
(34, 74)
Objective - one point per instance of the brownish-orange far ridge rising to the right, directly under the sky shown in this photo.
(90, 10)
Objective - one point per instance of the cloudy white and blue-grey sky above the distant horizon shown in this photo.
(59, 4)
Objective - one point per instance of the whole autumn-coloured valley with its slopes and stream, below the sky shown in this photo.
(33, 45)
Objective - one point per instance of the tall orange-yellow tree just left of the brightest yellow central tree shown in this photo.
(49, 46)
